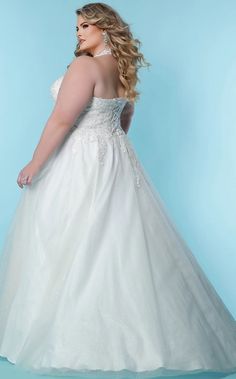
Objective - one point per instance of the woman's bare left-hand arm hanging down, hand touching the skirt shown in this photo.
(74, 94)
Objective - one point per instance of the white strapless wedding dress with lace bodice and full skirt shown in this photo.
(94, 277)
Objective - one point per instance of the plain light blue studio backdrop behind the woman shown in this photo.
(184, 128)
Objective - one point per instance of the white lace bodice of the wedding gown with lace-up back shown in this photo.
(100, 121)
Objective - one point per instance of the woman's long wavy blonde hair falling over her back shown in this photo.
(124, 47)
